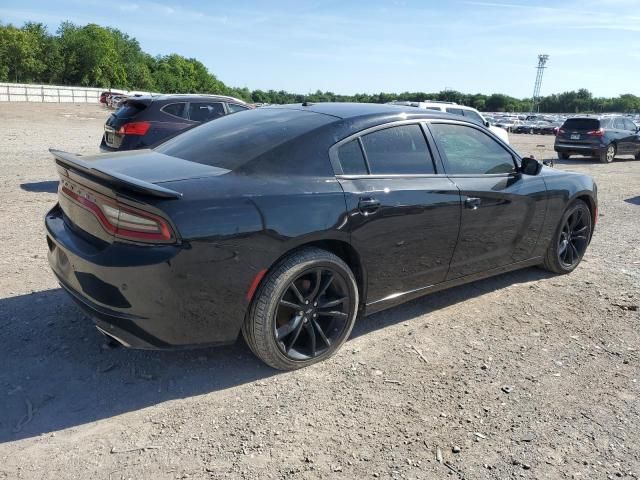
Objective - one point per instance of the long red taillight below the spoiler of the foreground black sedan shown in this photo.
(124, 221)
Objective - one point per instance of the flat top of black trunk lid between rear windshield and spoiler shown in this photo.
(151, 166)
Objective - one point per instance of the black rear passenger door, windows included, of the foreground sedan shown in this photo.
(403, 214)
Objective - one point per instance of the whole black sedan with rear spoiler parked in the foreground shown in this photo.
(287, 223)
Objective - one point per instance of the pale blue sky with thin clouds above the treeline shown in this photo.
(349, 46)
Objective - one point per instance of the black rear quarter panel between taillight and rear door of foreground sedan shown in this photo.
(234, 227)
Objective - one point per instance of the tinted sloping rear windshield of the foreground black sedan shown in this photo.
(233, 141)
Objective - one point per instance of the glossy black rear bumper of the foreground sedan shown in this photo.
(150, 297)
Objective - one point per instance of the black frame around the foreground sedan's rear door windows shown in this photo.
(337, 166)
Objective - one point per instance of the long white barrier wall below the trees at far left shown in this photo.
(17, 92)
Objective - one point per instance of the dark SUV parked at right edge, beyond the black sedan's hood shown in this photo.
(600, 137)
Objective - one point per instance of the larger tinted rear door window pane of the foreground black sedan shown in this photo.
(398, 150)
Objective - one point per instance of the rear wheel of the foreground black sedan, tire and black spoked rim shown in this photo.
(284, 328)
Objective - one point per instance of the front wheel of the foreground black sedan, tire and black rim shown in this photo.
(564, 260)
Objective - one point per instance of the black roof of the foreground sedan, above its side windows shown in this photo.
(353, 110)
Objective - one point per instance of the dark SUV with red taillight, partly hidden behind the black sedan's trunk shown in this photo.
(143, 122)
